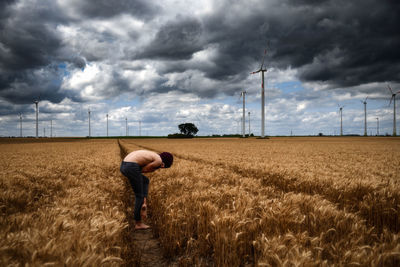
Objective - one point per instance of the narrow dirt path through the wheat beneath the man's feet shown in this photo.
(145, 247)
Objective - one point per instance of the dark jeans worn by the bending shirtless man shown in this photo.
(139, 183)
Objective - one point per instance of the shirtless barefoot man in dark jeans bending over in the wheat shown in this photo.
(133, 165)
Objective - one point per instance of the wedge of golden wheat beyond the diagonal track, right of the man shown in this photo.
(353, 179)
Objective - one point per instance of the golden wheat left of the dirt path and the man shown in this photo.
(63, 204)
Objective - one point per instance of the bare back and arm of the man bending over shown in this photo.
(148, 160)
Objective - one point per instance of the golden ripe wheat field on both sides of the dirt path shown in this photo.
(224, 202)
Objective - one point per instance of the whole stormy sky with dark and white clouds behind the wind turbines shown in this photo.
(168, 62)
